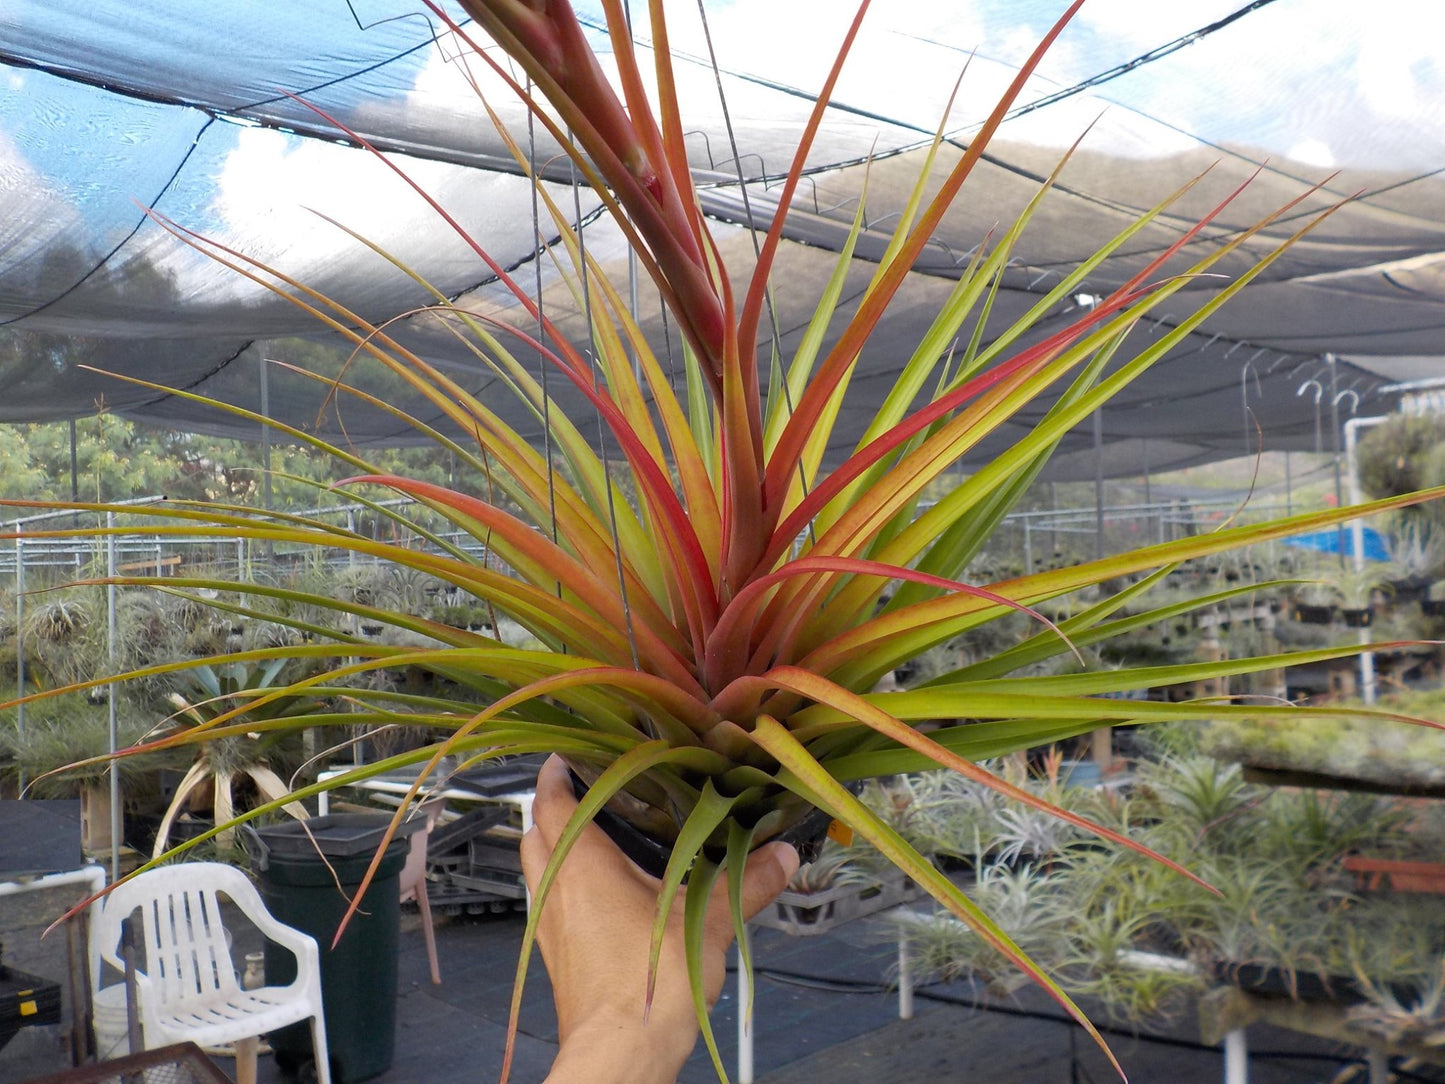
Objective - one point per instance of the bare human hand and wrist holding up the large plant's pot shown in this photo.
(596, 936)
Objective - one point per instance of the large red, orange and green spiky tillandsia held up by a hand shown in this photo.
(716, 602)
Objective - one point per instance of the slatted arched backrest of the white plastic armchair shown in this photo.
(187, 952)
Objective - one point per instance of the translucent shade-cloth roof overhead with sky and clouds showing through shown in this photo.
(225, 119)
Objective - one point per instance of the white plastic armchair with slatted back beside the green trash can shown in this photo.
(187, 989)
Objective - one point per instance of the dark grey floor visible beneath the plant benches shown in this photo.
(824, 1014)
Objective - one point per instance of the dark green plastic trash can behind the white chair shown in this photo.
(309, 875)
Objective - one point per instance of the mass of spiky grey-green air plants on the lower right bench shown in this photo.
(1132, 933)
